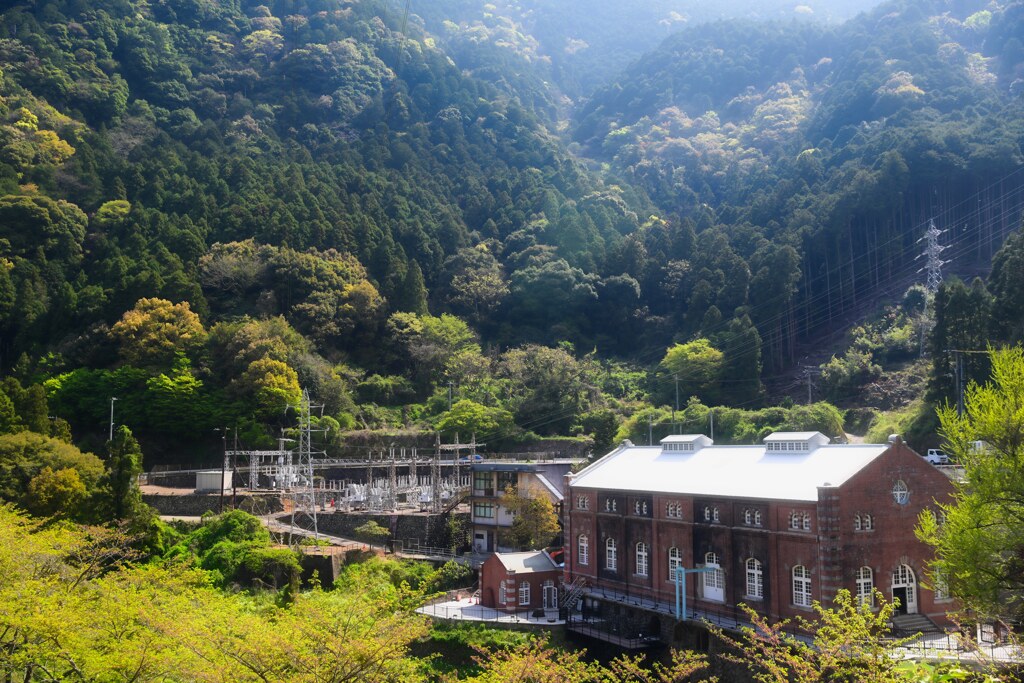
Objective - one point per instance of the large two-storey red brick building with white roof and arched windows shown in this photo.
(776, 526)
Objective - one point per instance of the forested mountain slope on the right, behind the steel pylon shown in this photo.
(819, 155)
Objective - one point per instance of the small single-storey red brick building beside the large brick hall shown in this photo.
(520, 582)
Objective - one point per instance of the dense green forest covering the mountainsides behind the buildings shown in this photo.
(205, 206)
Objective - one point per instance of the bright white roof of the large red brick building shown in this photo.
(730, 472)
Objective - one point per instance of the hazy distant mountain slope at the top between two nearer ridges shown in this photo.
(581, 46)
